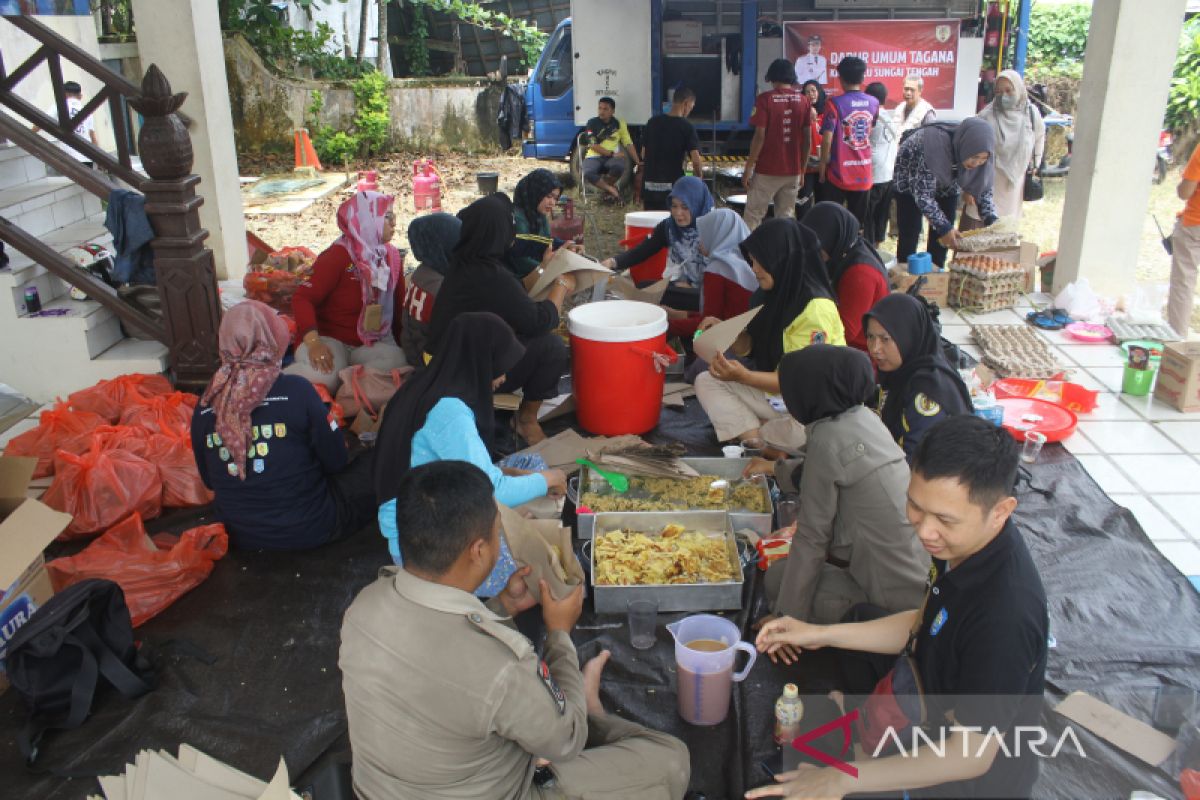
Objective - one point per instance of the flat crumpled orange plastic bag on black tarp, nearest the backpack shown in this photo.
(153, 574)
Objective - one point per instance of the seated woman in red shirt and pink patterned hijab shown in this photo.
(349, 314)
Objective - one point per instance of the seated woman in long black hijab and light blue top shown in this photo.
(446, 413)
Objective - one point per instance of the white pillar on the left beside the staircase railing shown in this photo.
(184, 39)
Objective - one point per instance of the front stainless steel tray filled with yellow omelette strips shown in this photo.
(671, 598)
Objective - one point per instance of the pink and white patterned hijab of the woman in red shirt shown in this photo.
(380, 267)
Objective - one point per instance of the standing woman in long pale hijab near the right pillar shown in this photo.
(1021, 141)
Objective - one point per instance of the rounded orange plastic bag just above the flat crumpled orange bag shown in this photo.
(100, 488)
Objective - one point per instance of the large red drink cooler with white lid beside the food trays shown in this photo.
(619, 387)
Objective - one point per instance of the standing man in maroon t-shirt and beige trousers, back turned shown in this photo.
(781, 147)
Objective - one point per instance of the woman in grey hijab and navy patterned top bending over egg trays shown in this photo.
(935, 165)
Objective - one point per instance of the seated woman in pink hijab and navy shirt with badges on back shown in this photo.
(266, 444)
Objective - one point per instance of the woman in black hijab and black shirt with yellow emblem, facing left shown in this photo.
(919, 386)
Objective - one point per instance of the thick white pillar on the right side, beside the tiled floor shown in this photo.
(1127, 75)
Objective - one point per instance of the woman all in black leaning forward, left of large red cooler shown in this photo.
(481, 280)
